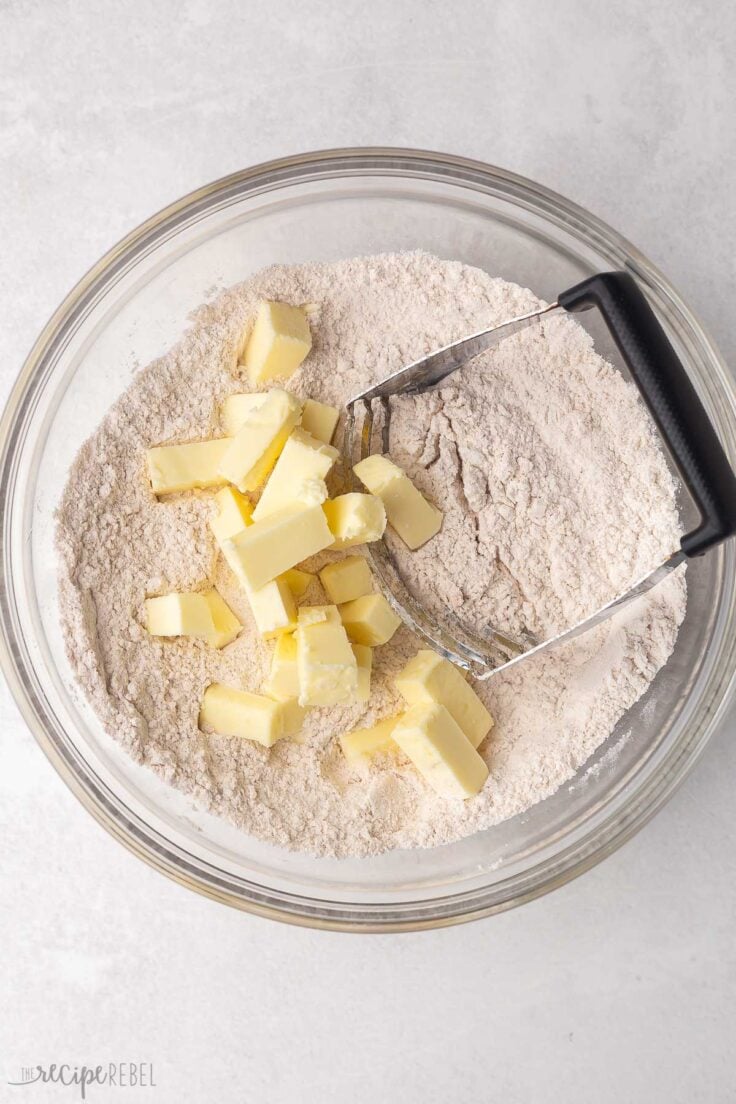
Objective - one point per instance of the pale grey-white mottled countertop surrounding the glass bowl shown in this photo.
(621, 986)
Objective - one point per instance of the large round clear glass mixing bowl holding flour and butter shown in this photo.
(132, 307)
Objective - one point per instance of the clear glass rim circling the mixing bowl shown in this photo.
(457, 908)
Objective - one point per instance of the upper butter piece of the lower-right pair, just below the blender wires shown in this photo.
(429, 678)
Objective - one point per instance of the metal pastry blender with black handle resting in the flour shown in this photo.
(673, 402)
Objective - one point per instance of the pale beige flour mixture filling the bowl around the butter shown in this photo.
(556, 497)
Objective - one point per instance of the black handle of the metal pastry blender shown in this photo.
(671, 399)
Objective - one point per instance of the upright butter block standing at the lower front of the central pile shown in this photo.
(326, 663)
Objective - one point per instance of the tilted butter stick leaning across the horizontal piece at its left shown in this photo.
(254, 450)
